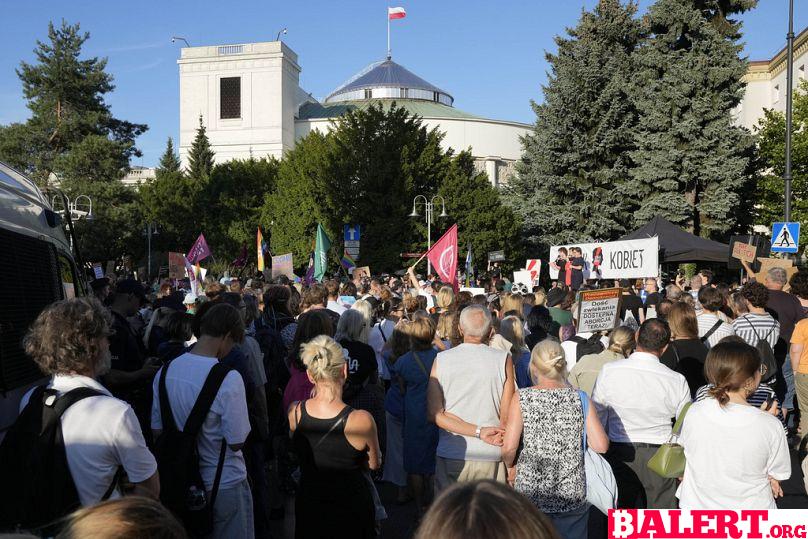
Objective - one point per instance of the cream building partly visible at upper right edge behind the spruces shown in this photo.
(766, 83)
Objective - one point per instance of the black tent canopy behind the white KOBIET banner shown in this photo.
(677, 245)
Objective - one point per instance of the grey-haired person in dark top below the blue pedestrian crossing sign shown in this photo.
(787, 309)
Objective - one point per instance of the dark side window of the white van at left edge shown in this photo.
(29, 281)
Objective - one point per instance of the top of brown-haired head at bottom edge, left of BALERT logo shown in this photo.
(484, 510)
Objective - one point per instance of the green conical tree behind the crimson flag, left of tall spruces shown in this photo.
(484, 222)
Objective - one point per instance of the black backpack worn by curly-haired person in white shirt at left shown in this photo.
(36, 488)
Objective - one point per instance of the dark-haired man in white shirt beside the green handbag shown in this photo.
(637, 399)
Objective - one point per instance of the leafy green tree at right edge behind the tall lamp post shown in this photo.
(771, 134)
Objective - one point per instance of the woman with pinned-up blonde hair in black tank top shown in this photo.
(335, 444)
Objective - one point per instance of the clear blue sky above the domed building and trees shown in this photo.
(488, 55)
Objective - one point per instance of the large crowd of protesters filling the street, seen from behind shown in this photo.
(479, 408)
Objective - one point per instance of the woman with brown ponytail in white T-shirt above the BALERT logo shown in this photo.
(735, 453)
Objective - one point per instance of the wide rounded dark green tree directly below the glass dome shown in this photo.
(365, 171)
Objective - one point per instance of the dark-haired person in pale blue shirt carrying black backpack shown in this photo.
(220, 328)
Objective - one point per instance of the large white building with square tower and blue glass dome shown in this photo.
(251, 104)
